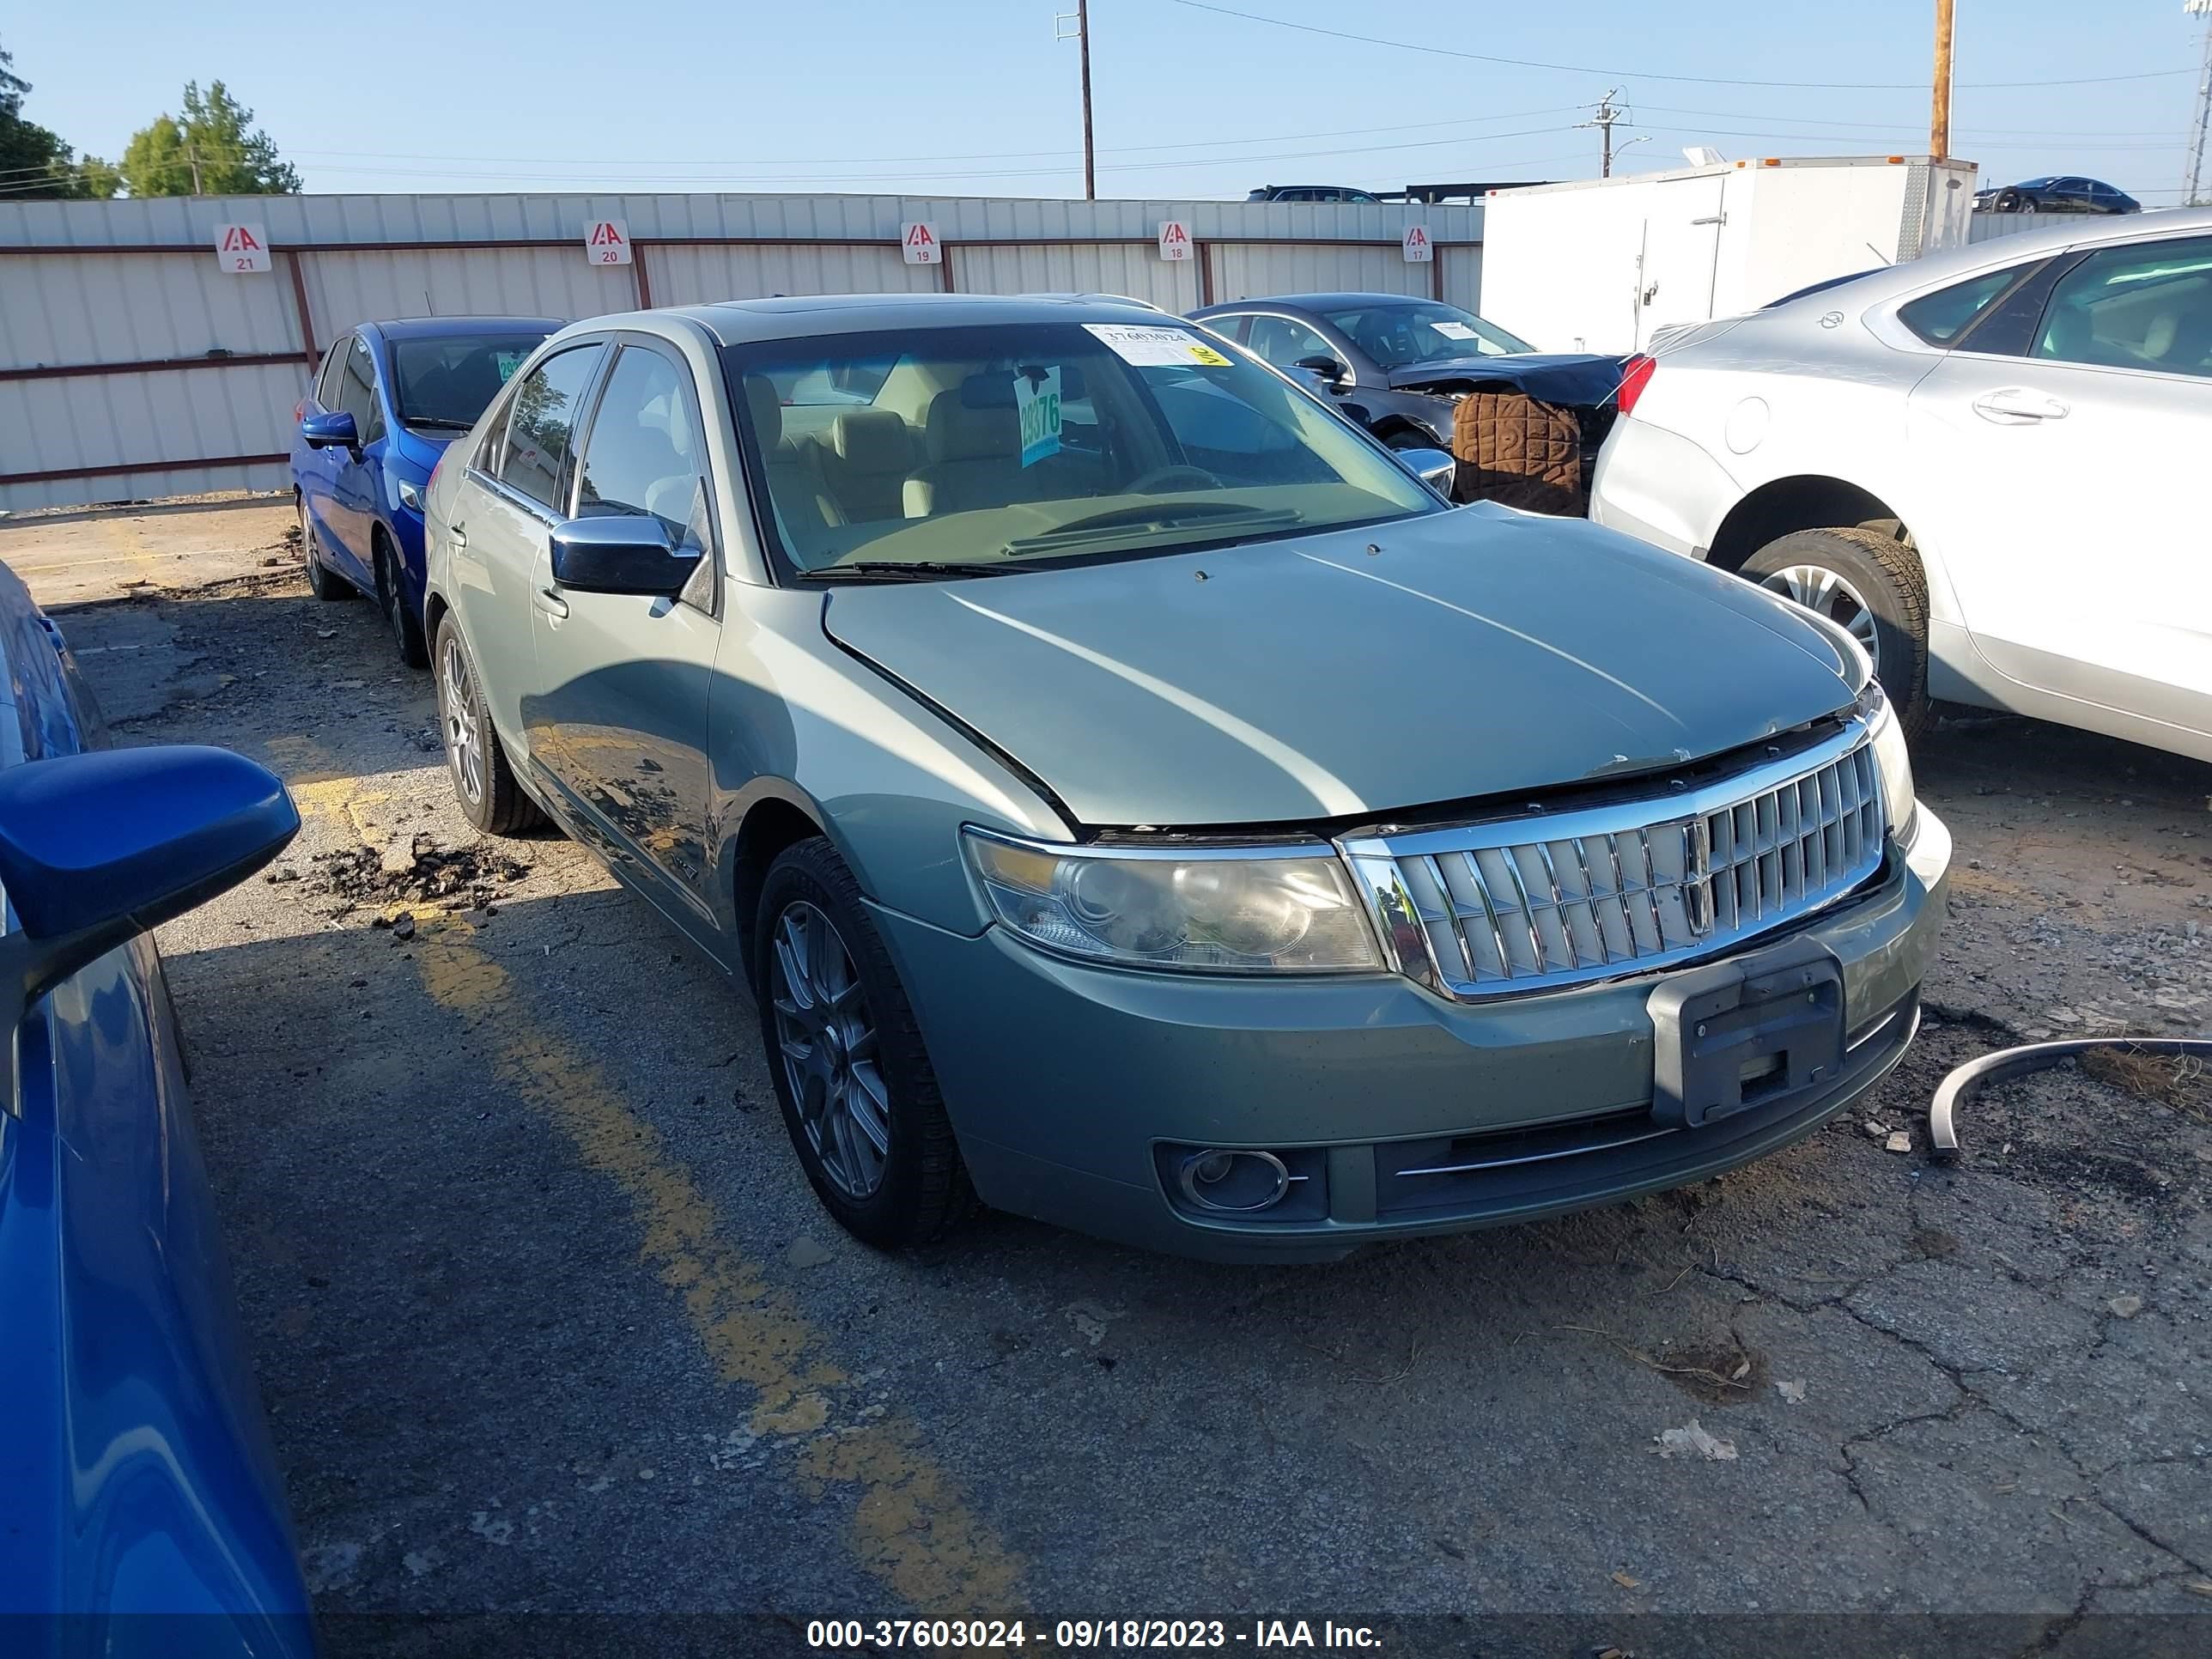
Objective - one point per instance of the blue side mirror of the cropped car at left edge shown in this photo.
(98, 848)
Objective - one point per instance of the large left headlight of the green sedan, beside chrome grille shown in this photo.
(1244, 910)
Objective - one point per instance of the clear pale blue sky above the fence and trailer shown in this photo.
(977, 96)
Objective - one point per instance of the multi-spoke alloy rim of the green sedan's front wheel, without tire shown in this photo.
(826, 1041)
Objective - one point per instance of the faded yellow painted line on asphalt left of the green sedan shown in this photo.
(912, 1527)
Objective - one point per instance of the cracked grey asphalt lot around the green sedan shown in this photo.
(547, 1319)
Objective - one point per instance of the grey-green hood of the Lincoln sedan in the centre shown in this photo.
(1353, 674)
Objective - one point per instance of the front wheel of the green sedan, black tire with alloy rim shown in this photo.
(859, 1096)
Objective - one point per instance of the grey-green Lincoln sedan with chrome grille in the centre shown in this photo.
(1136, 800)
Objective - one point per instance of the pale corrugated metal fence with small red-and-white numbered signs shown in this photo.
(136, 366)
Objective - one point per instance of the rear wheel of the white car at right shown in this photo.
(1875, 587)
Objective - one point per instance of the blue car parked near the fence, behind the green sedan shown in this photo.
(384, 406)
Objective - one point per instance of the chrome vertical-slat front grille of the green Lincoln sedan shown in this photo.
(1569, 897)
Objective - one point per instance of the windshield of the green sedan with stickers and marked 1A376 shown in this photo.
(992, 450)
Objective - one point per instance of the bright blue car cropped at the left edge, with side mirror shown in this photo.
(140, 1507)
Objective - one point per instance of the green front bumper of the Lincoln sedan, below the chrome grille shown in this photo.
(1074, 1089)
